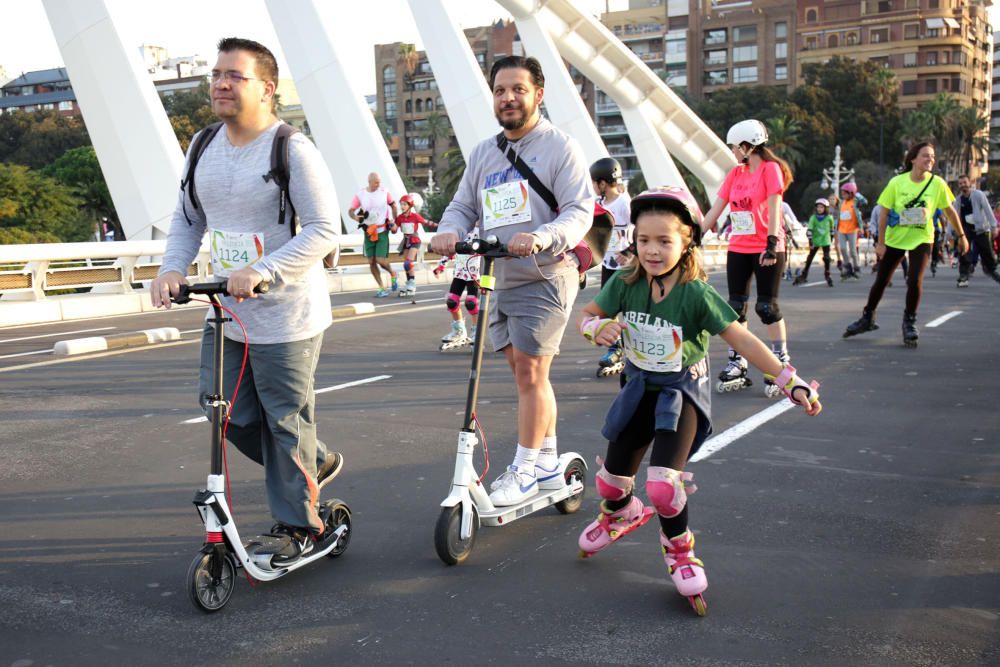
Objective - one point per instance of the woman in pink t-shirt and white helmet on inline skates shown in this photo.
(752, 191)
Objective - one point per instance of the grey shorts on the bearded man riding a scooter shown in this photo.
(533, 317)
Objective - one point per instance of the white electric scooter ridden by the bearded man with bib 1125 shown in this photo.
(469, 503)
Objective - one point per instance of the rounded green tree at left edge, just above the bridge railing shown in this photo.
(40, 206)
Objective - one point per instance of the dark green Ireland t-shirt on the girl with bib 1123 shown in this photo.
(695, 307)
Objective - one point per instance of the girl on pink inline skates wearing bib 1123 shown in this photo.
(667, 314)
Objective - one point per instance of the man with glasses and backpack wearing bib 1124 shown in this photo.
(272, 419)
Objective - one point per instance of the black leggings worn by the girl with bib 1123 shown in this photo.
(671, 449)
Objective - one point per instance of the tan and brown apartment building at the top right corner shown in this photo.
(931, 46)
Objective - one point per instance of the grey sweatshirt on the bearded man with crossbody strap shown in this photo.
(557, 160)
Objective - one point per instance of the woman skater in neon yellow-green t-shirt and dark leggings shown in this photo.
(906, 226)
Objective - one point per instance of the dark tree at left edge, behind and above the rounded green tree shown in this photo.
(36, 138)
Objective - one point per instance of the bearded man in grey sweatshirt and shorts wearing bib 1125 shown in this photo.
(535, 289)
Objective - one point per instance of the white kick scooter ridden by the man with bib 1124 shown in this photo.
(212, 575)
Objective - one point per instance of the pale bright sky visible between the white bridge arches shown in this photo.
(187, 27)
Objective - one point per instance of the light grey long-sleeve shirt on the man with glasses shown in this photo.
(235, 198)
